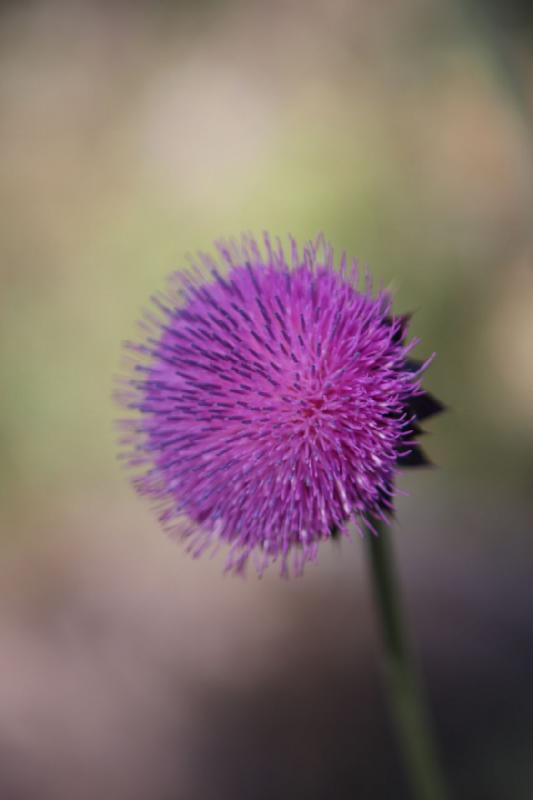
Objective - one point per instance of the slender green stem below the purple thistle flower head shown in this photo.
(408, 709)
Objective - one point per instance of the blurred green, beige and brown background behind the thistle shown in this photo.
(132, 133)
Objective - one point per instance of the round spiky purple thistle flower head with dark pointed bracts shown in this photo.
(274, 402)
